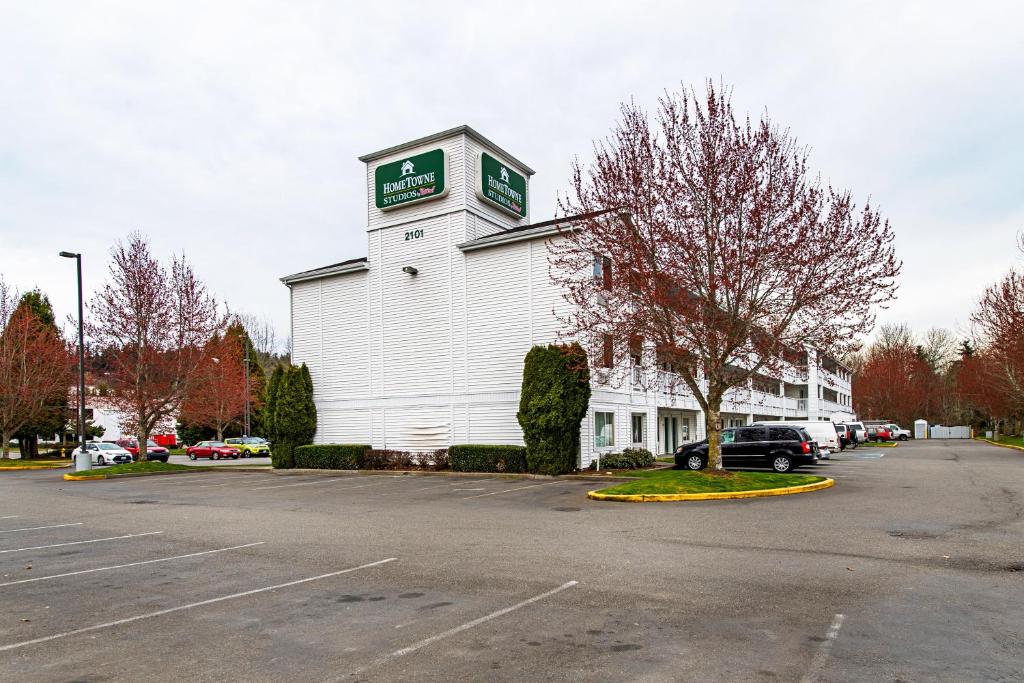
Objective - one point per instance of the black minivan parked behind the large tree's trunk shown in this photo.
(783, 449)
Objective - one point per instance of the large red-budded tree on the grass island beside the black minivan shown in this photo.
(718, 252)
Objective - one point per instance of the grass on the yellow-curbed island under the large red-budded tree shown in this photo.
(686, 482)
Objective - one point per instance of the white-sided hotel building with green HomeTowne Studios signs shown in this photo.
(420, 344)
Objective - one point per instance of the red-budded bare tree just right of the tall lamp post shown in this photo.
(154, 323)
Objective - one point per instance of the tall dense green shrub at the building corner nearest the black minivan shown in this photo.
(553, 403)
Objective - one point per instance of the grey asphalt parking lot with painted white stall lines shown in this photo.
(910, 569)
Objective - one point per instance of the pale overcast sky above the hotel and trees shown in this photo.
(232, 131)
